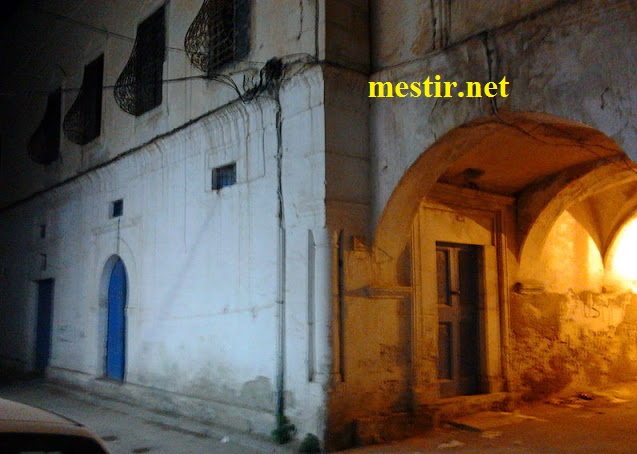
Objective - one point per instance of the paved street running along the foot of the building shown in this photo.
(602, 422)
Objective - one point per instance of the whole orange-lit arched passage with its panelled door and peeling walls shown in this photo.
(451, 319)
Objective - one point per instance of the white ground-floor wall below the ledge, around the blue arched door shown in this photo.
(202, 265)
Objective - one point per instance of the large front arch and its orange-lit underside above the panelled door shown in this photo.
(494, 148)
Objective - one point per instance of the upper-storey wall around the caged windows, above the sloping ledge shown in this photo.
(47, 46)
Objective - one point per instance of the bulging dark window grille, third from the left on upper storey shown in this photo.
(139, 87)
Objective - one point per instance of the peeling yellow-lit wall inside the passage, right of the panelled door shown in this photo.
(568, 333)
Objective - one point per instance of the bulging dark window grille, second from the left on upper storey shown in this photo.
(82, 123)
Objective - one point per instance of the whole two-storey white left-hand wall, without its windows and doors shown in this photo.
(202, 265)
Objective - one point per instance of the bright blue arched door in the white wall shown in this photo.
(116, 329)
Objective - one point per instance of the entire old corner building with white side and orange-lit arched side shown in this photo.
(241, 234)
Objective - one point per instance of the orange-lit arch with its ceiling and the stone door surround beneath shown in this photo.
(517, 173)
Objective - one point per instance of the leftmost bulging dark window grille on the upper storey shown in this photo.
(44, 145)
